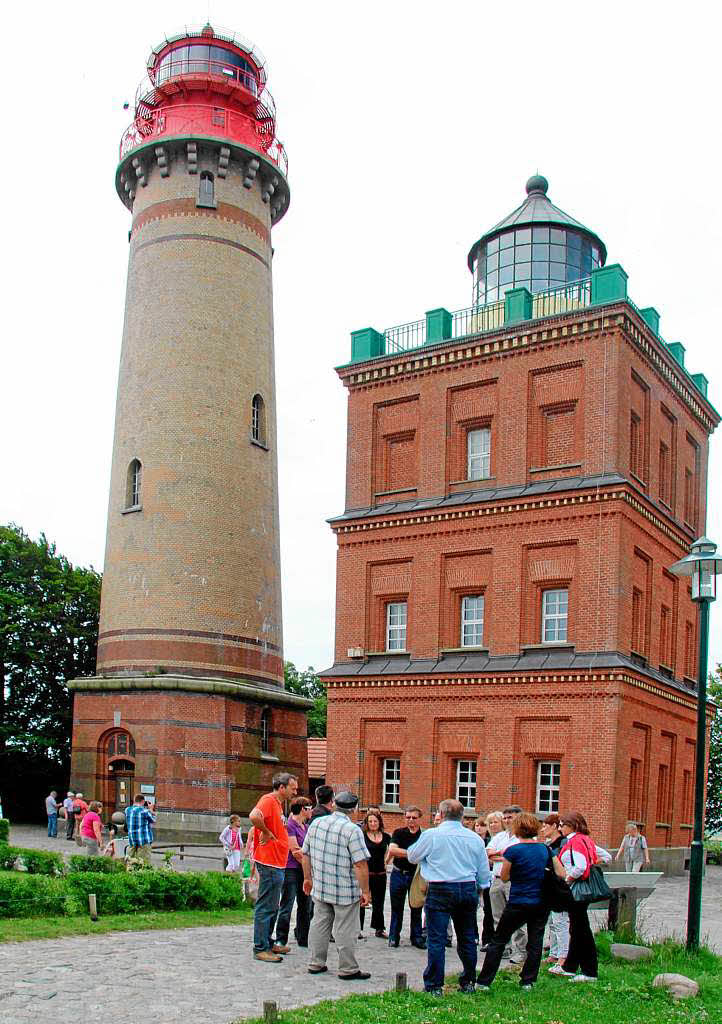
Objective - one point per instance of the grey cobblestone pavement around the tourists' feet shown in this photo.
(210, 974)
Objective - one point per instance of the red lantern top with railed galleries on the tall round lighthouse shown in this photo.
(204, 84)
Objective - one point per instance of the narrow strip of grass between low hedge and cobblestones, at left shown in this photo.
(24, 929)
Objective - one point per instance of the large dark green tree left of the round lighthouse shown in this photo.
(49, 634)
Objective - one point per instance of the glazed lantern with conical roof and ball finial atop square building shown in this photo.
(537, 247)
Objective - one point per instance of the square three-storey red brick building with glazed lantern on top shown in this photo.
(521, 477)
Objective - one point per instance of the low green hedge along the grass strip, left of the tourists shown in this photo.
(34, 895)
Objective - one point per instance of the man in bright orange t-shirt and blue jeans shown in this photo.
(271, 850)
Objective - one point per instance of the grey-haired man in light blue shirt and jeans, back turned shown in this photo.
(455, 865)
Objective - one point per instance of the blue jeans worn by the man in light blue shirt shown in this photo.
(458, 902)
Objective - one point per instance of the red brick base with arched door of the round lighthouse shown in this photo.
(199, 749)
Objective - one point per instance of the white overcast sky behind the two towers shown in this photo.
(411, 130)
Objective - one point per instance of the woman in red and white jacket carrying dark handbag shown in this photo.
(579, 858)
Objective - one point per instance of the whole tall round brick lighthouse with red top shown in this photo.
(189, 705)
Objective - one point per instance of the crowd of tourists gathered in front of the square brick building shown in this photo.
(532, 878)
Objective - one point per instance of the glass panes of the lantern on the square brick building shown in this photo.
(536, 259)
